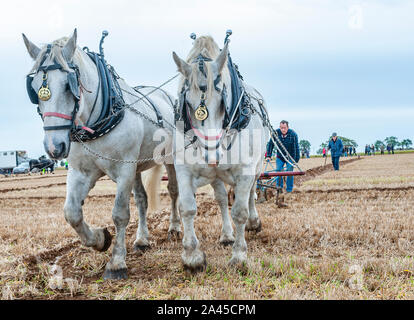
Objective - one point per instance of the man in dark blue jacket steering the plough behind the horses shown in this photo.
(289, 139)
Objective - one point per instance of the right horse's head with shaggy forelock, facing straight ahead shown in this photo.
(204, 80)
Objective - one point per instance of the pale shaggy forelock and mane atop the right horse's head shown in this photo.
(206, 46)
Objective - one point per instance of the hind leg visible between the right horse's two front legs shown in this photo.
(220, 194)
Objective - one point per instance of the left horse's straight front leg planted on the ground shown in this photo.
(116, 268)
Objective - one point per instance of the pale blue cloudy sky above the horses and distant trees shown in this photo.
(325, 66)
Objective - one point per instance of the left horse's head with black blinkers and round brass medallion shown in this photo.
(54, 84)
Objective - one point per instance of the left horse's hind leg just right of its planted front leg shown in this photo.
(141, 242)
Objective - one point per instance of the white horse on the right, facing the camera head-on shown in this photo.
(204, 75)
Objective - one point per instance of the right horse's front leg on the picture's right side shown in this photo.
(240, 214)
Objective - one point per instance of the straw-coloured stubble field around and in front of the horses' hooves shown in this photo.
(345, 235)
